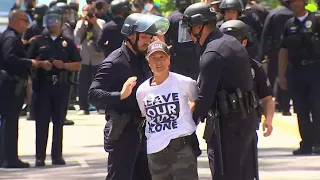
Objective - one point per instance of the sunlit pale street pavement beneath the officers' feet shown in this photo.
(86, 159)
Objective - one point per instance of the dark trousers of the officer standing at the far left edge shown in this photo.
(10, 120)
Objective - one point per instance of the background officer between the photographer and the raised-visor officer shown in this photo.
(110, 37)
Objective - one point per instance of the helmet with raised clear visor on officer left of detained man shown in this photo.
(145, 23)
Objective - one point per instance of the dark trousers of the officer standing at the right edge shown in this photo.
(306, 99)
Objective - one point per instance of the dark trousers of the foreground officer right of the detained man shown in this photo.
(237, 138)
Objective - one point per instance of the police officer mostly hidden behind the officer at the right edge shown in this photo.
(270, 46)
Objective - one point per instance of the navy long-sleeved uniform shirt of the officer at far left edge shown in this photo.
(14, 57)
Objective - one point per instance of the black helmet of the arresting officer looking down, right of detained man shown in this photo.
(197, 14)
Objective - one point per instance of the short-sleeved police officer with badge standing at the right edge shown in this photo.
(300, 48)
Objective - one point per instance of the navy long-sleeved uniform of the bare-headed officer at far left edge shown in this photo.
(15, 62)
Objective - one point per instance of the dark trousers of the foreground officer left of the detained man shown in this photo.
(127, 156)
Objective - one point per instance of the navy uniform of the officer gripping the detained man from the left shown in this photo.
(127, 156)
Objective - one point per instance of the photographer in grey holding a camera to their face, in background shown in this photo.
(87, 31)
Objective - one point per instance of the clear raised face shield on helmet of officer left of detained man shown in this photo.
(152, 24)
